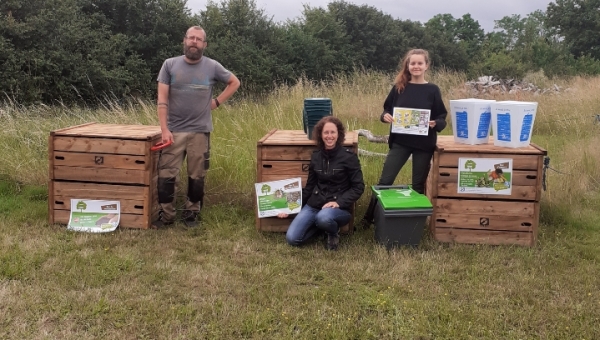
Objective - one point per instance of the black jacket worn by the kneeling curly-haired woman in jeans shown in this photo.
(333, 175)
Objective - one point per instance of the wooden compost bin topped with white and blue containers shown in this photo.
(485, 218)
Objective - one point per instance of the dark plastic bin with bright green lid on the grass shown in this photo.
(400, 215)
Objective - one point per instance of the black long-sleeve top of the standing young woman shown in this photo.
(417, 96)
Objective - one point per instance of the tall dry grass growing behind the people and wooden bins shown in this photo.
(564, 126)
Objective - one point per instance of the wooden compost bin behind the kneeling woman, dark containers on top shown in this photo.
(283, 154)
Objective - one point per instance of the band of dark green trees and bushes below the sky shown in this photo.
(67, 51)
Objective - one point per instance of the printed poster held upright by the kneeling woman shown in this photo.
(276, 197)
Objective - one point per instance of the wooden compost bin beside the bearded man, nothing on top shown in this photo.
(104, 162)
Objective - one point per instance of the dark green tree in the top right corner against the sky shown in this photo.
(578, 22)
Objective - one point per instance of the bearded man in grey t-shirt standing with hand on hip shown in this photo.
(185, 104)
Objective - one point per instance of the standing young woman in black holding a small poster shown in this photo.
(410, 90)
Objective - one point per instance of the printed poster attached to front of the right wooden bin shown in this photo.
(484, 176)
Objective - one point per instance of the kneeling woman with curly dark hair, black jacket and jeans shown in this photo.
(334, 183)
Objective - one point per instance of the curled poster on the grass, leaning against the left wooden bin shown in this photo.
(94, 216)
